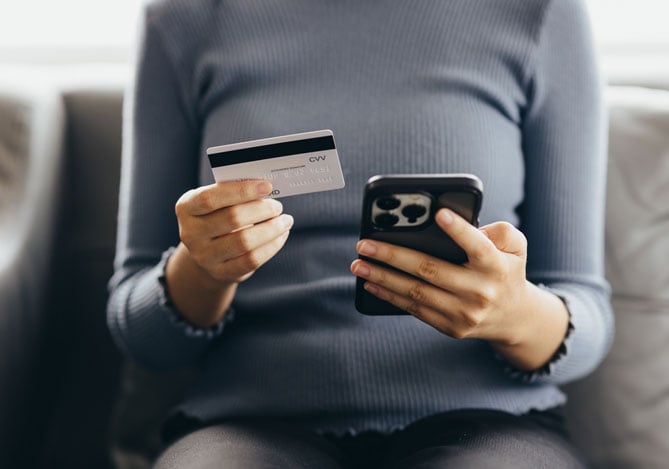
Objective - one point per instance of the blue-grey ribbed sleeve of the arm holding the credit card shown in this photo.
(160, 162)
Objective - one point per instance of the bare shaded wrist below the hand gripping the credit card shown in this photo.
(202, 300)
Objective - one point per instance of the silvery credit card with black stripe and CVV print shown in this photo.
(296, 164)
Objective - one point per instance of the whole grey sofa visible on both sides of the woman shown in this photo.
(67, 397)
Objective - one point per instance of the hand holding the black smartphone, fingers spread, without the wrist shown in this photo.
(482, 298)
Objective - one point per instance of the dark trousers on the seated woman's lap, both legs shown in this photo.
(459, 439)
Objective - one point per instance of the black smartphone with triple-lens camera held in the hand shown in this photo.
(399, 209)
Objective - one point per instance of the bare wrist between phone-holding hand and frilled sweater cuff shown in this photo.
(539, 334)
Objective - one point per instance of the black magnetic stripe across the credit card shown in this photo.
(274, 150)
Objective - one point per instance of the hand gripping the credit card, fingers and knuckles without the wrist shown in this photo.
(231, 228)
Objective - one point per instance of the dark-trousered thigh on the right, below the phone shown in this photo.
(484, 439)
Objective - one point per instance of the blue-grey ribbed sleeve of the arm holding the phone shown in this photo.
(562, 215)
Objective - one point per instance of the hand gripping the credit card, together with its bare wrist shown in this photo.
(227, 230)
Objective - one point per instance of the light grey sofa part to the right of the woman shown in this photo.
(619, 415)
